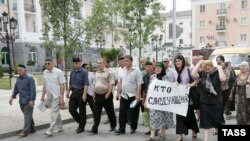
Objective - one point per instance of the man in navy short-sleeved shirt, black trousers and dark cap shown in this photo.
(78, 84)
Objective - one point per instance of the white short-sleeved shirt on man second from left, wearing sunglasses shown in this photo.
(52, 81)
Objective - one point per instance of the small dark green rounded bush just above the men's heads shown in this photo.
(110, 54)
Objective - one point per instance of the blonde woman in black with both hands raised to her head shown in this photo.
(211, 107)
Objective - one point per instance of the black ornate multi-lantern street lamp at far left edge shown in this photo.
(5, 37)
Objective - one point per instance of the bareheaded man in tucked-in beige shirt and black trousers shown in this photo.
(103, 85)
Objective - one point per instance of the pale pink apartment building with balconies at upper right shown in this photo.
(220, 23)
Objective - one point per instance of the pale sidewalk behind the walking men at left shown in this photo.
(12, 117)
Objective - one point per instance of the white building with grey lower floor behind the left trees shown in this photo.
(28, 43)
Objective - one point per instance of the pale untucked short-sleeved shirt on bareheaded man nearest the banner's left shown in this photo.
(130, 81)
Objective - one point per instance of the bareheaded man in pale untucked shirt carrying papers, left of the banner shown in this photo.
(129, 89)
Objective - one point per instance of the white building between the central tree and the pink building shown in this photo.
(183, 34)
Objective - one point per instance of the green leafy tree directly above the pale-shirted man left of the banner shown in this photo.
(138, 21)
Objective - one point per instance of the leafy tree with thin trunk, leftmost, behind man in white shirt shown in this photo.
(60, 18)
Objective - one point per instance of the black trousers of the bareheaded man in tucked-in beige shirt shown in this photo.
(108, 105)
